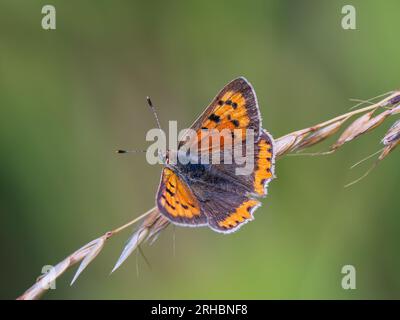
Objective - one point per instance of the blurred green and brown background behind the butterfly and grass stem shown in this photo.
(70, 97)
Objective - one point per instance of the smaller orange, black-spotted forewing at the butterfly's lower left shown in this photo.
(177, 202)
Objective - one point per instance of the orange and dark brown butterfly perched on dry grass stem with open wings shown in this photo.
(196, 194)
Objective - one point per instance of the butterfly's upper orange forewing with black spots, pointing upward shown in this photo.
(235, 107)
